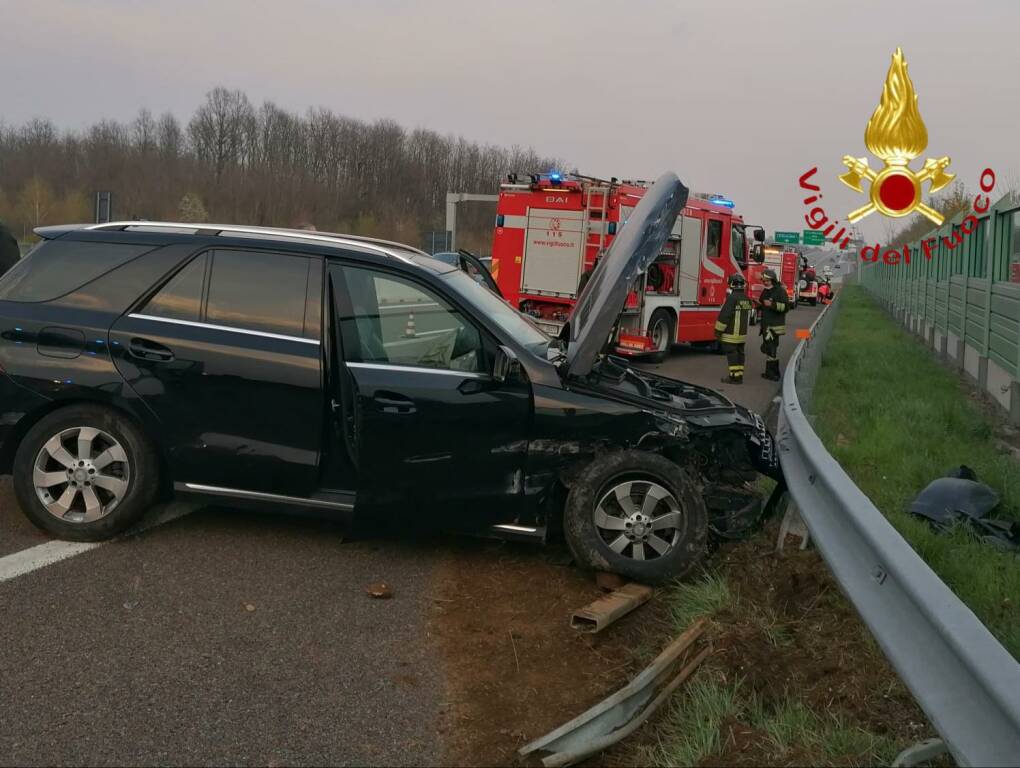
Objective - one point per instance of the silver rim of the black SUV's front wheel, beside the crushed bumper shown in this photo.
(639, 520)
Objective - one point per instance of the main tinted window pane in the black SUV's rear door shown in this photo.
(259, 291)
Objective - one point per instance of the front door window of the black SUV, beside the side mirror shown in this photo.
(396, 322)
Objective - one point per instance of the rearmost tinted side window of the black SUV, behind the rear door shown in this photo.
(58, 268)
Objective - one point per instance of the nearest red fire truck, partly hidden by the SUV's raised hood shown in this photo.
(552, 229)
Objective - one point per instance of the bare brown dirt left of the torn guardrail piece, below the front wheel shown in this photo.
(515, 668)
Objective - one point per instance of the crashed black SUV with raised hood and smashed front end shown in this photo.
(349, 376)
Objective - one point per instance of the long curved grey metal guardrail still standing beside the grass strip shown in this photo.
(966, 683)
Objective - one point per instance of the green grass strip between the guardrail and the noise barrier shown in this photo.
(897, 420)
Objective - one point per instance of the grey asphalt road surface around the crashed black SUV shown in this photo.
(231, 638)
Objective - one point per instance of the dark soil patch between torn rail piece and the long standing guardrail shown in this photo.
(793, 635)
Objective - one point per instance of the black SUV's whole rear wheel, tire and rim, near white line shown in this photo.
(92, 464)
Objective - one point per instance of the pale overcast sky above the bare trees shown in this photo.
(738, 97)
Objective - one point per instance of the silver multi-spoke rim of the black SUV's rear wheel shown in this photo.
(81, 475)
